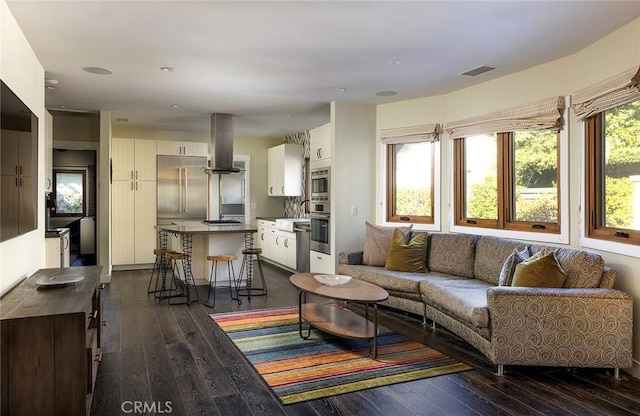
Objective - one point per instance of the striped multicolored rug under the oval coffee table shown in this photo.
(324, 365)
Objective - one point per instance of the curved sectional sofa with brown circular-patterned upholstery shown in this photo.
(584, 323)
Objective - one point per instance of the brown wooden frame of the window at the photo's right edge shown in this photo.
(594, 139)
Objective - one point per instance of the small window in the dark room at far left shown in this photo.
(70, 193)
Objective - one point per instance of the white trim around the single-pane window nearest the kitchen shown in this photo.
(382, 220)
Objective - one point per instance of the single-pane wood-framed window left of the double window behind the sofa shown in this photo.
(410, 173)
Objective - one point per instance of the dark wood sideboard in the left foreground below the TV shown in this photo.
(50, 345)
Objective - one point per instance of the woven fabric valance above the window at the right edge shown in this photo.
(607, 94)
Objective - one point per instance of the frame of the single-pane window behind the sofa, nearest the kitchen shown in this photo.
(420, 222)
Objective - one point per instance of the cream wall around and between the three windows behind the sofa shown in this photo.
(615, 53)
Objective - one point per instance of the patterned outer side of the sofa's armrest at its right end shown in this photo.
(561, 327)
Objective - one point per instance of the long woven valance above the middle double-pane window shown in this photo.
(545, 114)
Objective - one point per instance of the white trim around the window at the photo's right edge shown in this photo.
(630, 250)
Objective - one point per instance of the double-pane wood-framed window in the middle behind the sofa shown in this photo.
(508, 180)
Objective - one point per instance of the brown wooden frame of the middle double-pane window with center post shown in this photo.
(505, 191)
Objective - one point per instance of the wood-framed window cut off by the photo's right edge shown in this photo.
(613, 174)
